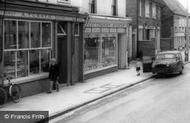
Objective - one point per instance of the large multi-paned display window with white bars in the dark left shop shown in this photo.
(27, 47)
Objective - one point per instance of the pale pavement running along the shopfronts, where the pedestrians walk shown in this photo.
(80, 94)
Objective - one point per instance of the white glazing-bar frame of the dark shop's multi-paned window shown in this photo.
(41, 74)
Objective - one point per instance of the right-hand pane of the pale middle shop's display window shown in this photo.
(109, 51)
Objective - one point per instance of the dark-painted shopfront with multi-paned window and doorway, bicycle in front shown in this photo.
(31, 37)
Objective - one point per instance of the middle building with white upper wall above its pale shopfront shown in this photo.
(107, 36)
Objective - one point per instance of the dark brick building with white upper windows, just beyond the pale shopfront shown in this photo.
(146, 15)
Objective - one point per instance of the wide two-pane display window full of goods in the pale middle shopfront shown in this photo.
(100, 52)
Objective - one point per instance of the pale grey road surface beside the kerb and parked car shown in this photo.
(159, 100)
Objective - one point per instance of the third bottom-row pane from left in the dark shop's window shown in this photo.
(34, 62)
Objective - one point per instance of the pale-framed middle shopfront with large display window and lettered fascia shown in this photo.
(106, 44)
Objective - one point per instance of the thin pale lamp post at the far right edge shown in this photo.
(187, 31)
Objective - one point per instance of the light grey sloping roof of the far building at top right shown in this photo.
(175, 6)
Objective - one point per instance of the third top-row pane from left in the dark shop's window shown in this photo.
(35, 34)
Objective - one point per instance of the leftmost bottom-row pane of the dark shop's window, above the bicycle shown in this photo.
(9, 63)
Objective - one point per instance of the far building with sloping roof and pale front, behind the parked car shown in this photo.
(174, 25)
